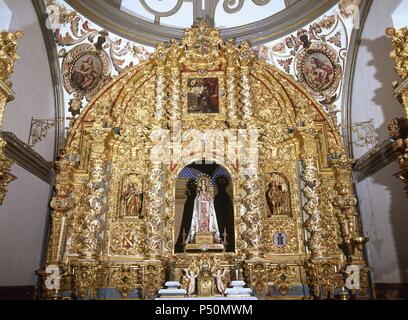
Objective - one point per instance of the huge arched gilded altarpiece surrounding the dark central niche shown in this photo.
(113, 221)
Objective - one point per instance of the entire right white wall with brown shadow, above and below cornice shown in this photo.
(383, 203)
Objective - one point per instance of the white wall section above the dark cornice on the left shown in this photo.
(32, 82)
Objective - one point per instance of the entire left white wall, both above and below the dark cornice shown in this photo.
(23, 214)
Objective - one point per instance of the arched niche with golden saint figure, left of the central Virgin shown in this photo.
(132, 197)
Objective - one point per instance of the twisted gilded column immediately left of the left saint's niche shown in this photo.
(96, 192)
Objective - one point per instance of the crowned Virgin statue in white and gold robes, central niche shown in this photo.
(204, 217)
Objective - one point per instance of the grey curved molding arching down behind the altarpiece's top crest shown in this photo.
(138, 30)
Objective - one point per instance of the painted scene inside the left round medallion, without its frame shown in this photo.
(86, 72)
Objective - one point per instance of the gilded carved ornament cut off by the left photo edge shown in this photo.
(8, 56)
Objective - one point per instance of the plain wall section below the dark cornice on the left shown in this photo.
(22, 226)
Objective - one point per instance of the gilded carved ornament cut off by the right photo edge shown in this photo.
(399, 127)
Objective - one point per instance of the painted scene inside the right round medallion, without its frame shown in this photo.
(318, 71)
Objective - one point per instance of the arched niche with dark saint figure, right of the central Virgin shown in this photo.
(277, 196)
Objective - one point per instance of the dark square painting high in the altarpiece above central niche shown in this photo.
(203, 96)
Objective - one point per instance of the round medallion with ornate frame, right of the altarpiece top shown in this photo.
(318, 69)
